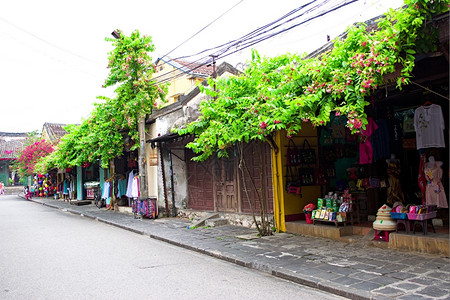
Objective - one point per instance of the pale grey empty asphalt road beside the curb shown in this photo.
(48, 254)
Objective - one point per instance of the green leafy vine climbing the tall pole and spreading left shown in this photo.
(101, 136)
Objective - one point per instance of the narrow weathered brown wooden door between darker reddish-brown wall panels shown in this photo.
(225, 184)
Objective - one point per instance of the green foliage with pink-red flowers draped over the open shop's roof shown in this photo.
(282, 92)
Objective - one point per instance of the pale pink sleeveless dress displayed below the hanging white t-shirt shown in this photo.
(435, 194)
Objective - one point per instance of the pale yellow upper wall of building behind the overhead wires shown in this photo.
(180, 83)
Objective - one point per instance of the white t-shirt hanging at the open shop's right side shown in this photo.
(429, 125)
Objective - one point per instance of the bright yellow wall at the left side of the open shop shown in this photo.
(285, 203)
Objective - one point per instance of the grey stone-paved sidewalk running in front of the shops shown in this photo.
(350, 270)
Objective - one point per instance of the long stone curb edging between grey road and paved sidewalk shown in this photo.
(326, 286)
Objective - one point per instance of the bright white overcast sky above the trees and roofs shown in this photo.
(53, 53)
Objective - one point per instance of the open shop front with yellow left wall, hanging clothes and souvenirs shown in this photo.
(401, 159)
